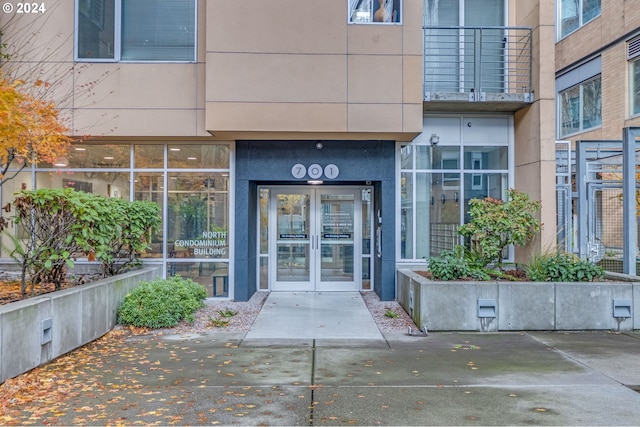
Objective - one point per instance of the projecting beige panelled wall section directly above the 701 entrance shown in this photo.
(304, 72)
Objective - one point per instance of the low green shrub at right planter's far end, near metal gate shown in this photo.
(562, 267)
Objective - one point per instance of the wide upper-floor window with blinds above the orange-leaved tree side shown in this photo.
(136, 30)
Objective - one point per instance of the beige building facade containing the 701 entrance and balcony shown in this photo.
(294, 145)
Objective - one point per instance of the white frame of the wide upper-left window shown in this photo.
(117, 39)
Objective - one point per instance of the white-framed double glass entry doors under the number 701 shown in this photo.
(315, 241)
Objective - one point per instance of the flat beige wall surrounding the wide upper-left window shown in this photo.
(106, 99)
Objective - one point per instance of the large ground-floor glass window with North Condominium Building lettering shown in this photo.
(192, 194)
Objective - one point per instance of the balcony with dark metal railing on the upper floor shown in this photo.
(477, 68)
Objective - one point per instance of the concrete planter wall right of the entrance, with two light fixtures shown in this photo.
(514, 306)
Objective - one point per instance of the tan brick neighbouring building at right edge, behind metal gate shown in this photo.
(598, 94)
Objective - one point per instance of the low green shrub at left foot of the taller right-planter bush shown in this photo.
(457, 263)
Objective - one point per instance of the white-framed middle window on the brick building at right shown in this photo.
(580, 107)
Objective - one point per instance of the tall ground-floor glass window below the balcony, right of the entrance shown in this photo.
(436, 184)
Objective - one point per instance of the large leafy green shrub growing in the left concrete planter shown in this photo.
(61, 224)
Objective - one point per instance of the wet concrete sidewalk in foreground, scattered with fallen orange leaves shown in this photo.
(583, 378)
